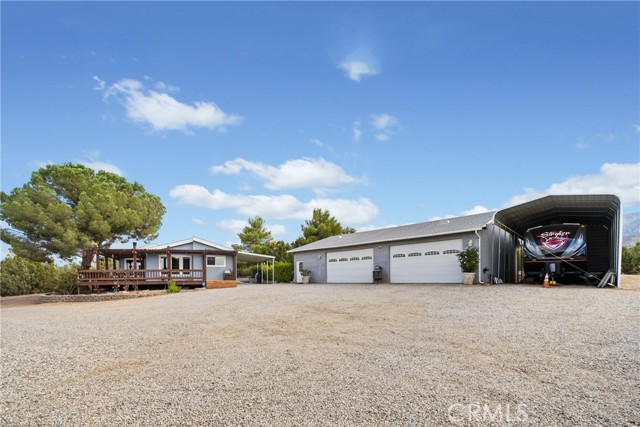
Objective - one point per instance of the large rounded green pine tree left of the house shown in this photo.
(66, 208)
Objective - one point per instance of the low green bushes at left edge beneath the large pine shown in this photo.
(21, 276)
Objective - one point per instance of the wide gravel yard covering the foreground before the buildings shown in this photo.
(317, 355)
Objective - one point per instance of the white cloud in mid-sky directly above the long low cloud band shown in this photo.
(317, 174)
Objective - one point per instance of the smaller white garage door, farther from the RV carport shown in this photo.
(350, 266)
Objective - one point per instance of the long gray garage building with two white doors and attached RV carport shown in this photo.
(426, 252)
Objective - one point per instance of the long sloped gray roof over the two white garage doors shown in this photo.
(412, 231)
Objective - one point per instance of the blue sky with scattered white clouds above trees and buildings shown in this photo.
(383, 113)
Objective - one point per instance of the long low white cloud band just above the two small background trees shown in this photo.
(283, 207)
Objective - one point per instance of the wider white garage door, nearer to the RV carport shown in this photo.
(433, 262)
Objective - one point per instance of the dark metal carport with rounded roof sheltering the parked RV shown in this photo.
(602, 210)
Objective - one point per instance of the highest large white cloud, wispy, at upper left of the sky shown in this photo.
(163, 112)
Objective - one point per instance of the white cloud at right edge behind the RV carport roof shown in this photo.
(622, 179)
